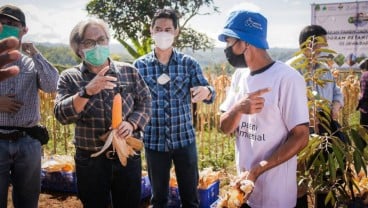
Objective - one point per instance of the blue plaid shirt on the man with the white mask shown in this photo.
(171, 124)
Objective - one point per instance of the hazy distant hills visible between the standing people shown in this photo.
(62, 54)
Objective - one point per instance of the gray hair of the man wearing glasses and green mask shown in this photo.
(77, 33)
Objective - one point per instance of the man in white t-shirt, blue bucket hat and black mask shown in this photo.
(266, 107)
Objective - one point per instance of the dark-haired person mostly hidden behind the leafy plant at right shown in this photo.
(314, 37)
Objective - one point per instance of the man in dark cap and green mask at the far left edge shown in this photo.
(20, 148)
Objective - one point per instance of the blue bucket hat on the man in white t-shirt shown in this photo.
(247, 26)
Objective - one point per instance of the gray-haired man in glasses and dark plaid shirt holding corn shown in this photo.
(84, 97)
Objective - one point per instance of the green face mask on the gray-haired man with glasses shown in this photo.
(97, 55)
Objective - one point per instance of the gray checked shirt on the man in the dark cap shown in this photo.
(35, 73)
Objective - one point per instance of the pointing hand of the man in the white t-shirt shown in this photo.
(252, 102)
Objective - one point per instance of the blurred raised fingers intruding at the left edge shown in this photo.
(8, 54)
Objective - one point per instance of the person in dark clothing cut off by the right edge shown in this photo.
(363, 98)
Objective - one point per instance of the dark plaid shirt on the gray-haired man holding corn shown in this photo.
(95, 119)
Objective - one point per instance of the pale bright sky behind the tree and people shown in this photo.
(52, 21)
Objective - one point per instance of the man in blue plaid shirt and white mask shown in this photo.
(175, 80)
